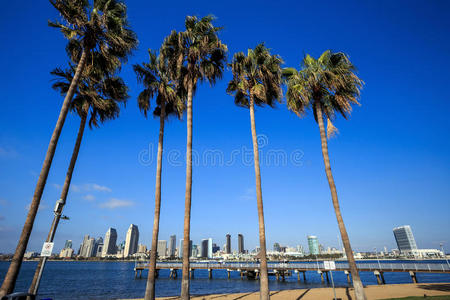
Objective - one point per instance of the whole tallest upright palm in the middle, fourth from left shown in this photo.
(195, 54)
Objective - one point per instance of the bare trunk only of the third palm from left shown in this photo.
(150, 290)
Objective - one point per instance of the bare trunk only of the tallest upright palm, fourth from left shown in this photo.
(187, 205)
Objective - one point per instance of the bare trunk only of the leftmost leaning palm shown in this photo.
(13, 271)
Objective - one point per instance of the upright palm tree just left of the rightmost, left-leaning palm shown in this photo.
(257, 81)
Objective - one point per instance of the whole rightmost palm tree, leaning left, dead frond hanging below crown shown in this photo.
(327, 85)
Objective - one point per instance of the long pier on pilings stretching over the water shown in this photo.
(282, 270)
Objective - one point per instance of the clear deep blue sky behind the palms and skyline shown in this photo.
(391, 159)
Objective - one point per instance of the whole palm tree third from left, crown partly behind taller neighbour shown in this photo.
(157, 81)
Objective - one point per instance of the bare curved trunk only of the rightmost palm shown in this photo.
(357, 284)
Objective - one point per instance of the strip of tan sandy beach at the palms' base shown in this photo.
(373, 292)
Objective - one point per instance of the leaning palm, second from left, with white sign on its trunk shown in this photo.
(98, 98)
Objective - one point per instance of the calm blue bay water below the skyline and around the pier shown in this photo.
(113, 280)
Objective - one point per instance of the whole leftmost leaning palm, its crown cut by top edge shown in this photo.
(101, 27)
